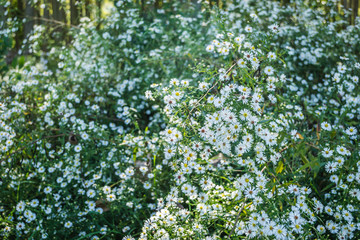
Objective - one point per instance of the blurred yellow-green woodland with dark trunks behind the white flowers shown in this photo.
(59, 16)
